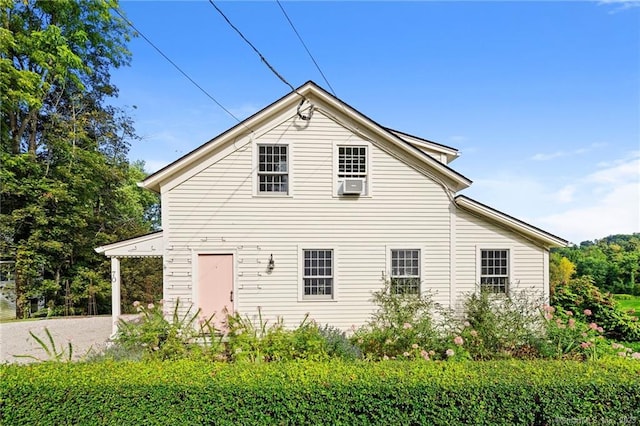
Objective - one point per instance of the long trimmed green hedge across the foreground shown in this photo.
(385, 393)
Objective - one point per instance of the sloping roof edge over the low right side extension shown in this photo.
(477, 208)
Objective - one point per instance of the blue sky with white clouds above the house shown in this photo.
(541, 98)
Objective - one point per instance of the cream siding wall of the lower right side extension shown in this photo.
(528, 261)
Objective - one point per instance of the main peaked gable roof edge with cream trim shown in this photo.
(315, 93)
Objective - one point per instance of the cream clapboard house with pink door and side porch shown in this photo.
(308, 206)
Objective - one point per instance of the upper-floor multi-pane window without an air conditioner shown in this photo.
(273, 169)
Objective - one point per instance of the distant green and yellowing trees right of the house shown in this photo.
(613, 263)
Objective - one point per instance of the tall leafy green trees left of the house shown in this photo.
(67, 185)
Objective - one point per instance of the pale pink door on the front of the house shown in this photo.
(215, 285)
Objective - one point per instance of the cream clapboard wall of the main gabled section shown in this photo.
(217, 211)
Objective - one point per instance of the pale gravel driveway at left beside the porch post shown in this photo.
(84, 333)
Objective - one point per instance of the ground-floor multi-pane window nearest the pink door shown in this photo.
(318, 274)
